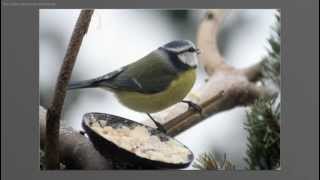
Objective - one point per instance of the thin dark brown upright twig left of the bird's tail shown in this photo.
(54, 112)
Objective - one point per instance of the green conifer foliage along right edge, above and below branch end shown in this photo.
(263, 124)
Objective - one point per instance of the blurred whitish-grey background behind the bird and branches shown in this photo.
(117, 37)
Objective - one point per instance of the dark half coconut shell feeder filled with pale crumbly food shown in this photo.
(133, 145)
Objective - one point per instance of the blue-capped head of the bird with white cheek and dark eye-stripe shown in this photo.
(185, 50)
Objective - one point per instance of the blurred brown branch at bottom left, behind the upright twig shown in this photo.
(76, 150)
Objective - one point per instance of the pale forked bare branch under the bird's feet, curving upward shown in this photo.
(226, 88)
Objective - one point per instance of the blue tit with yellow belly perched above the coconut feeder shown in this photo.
(153, 83)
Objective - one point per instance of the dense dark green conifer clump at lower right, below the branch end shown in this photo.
(264, 134)
